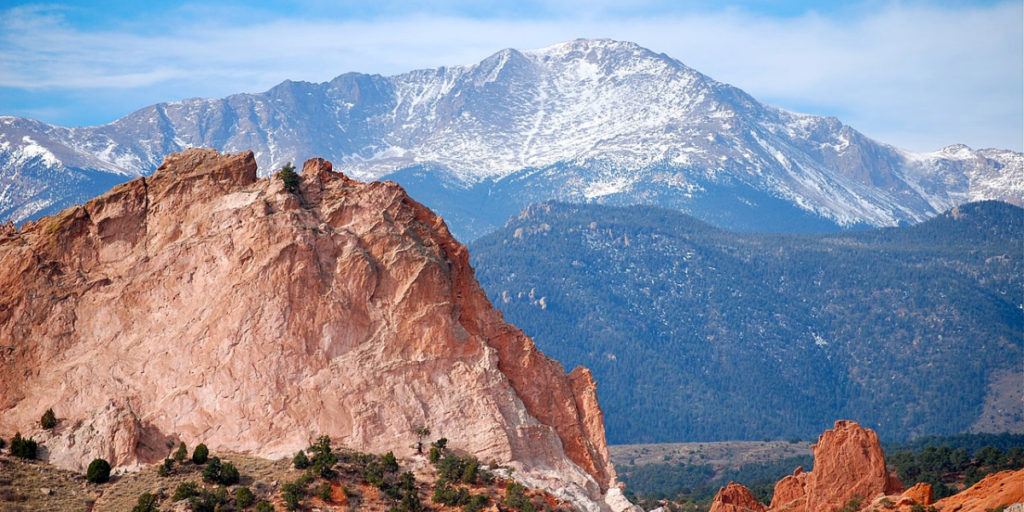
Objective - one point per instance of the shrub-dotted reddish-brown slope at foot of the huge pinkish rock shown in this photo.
(339, 480)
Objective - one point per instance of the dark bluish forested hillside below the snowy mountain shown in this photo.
(696, 333)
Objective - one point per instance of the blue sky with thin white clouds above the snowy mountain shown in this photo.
(920, 75)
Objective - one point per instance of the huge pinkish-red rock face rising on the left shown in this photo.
(204, 305)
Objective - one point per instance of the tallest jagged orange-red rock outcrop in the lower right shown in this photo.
(848, 462)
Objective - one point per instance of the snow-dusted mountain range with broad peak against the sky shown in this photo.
(583, 121)
